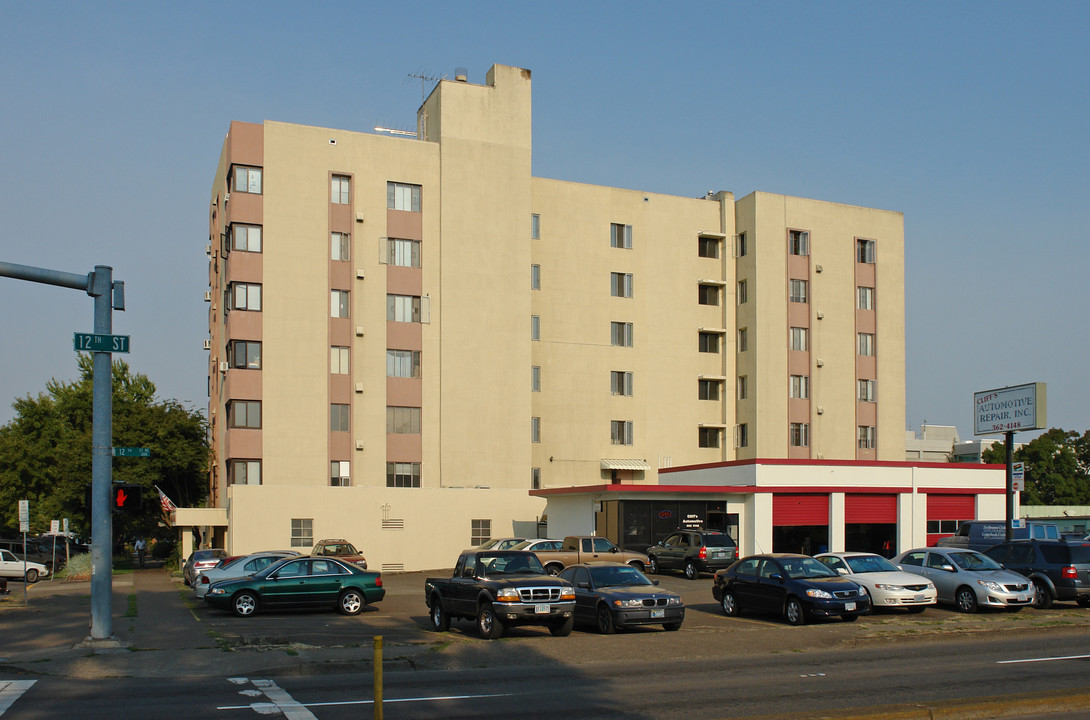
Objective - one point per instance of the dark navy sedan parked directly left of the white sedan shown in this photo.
(797, 588)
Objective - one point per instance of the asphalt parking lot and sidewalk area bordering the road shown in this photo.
(162, 630)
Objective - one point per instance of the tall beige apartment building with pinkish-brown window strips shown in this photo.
(415, 344)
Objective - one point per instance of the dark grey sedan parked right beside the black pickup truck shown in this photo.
(613, 595)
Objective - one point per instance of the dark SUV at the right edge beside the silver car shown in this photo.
(1060, 570)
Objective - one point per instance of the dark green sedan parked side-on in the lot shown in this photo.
(299, 582)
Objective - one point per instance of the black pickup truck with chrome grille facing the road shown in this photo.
(501, 589)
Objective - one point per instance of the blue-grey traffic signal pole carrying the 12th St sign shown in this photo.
(110, 296)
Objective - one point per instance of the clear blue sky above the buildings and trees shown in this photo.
(971, 118)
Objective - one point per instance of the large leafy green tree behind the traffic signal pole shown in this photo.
(45, 453)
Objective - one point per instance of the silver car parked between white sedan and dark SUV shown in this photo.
(967, 579)
